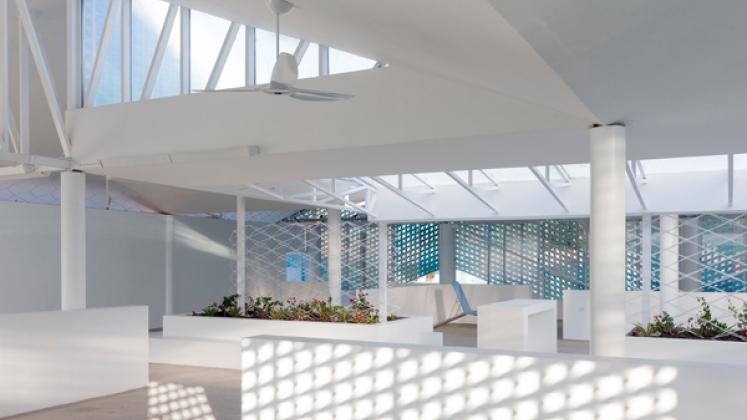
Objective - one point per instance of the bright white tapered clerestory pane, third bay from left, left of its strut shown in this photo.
(207, 35)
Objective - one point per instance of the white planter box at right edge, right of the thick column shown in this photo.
(682, 349)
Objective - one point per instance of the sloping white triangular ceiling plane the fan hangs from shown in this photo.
(467, 41)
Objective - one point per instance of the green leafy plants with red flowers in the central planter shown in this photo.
(361, 311)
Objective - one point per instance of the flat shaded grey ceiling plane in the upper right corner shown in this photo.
(672, 70)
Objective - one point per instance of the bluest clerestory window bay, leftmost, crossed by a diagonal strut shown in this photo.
(94, 16)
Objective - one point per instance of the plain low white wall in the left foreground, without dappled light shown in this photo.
(60, 357)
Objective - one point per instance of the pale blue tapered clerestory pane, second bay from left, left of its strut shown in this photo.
(147, 21)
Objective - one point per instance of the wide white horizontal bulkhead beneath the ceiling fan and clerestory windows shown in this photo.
(395, 110)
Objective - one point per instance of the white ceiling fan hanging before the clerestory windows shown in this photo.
(285, 71)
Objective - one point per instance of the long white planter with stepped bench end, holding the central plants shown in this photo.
(216, 342)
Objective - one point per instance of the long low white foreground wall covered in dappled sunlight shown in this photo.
(285, 378)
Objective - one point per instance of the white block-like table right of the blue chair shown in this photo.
(518, 325)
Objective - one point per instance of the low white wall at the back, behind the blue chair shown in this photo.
(440, 302)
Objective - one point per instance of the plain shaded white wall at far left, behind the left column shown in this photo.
(126, 260)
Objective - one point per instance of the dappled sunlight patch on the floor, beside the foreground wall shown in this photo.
(178, 402)
